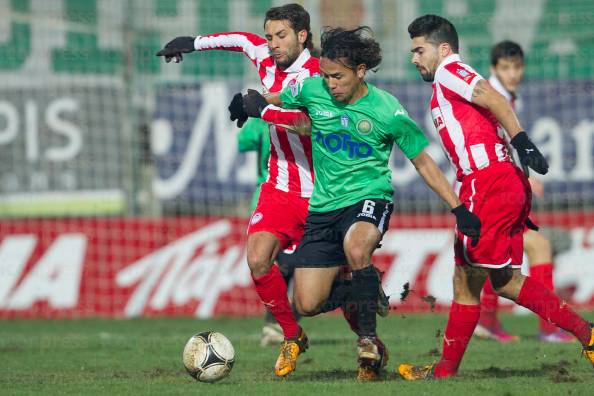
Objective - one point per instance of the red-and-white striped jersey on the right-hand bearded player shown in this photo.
(468, 132)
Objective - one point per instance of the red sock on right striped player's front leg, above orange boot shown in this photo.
(461, 324)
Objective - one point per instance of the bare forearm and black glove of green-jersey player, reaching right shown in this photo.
(467, 222)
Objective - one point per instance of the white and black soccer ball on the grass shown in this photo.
(208, 356)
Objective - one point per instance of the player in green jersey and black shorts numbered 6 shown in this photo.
(354, 126)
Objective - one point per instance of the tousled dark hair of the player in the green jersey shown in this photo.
(356, 46)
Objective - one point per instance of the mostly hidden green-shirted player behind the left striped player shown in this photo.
(254, 136)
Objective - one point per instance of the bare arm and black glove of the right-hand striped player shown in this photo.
(487, 97)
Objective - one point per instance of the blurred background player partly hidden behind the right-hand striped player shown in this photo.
(507, 73)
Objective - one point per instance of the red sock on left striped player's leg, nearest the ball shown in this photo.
(272, 290)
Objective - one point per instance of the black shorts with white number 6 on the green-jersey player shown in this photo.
(322, 242)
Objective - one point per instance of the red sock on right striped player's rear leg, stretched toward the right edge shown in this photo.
(548, 306)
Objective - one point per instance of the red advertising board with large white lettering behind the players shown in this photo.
(124, 267)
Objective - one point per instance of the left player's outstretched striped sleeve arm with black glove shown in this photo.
(252, 45)
